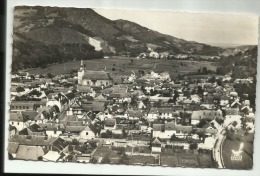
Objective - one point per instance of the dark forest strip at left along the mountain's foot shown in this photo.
(32, 54)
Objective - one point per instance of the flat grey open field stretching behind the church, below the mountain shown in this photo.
(125, 66)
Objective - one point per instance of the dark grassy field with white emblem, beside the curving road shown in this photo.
(247, 159)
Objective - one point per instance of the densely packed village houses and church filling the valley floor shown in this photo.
(147, 118)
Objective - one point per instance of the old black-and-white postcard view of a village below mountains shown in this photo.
(129, 87)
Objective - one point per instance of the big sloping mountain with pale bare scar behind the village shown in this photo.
(45, 35)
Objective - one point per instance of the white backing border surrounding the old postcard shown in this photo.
(221, 6)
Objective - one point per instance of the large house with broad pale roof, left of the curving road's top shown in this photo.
(197, 116)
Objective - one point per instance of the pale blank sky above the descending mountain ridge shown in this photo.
(208, 28)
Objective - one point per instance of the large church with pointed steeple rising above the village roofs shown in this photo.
(93, 78)
